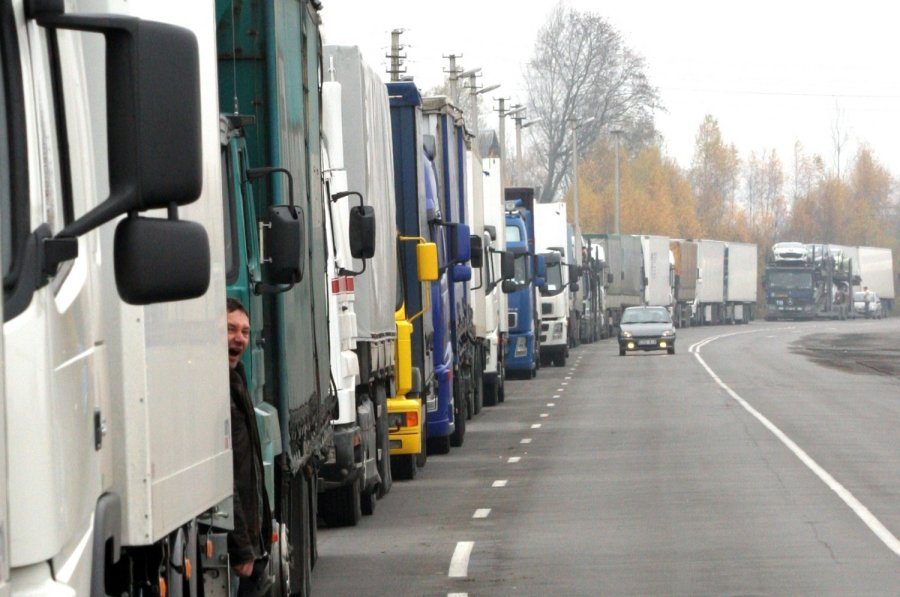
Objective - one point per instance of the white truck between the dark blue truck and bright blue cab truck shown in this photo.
(488, 222)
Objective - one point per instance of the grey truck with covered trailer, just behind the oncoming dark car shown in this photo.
(624, 258)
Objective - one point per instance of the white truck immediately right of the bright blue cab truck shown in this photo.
(551, 241)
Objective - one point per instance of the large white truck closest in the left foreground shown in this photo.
(114, 359)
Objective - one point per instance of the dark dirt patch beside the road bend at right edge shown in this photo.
(872, 354)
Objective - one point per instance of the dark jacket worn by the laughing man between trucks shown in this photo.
(252, 533)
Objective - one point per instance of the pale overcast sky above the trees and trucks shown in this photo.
(771, 72)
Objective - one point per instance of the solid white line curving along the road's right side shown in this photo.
(842, 492)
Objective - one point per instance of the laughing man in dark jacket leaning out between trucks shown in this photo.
(248, 544)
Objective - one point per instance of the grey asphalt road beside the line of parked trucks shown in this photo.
(753, 467)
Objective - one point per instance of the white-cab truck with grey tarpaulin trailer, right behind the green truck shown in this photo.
(368, 170)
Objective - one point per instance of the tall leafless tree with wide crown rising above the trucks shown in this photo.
(580, 69)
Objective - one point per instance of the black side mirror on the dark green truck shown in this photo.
(283, 244)
